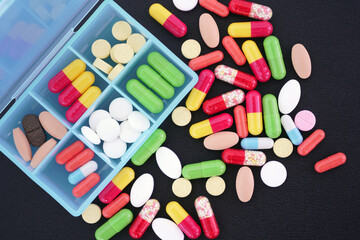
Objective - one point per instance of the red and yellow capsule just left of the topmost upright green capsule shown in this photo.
(256, 61)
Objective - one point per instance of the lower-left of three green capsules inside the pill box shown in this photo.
(146, 97)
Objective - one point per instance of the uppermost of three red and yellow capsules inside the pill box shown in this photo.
(66, 76)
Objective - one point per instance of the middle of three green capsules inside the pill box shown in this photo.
(155, 82)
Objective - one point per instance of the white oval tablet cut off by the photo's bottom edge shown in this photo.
(166, 229)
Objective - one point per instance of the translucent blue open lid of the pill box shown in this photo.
(31, 32)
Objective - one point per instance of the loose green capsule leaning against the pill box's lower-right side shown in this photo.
(149, 147)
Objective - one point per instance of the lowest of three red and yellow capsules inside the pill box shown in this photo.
(82, 104)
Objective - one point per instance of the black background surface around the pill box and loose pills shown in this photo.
(308, 205)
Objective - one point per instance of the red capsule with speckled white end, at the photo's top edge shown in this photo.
(249, 9)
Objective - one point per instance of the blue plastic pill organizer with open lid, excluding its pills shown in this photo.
(36, 42)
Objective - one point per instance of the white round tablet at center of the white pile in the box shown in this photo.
(108, 129)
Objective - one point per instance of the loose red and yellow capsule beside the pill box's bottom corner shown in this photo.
(117, 184)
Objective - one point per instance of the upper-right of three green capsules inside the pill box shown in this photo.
(166, 69)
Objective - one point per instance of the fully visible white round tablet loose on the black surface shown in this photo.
(273, 174)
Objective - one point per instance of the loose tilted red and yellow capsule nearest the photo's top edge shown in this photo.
(168, 20)
